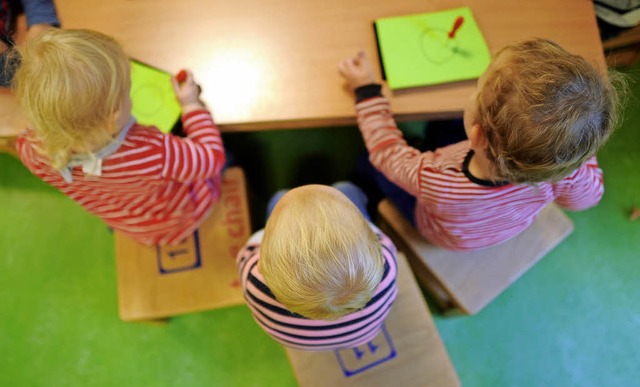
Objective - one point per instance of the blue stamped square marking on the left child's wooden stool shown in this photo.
(185, 256)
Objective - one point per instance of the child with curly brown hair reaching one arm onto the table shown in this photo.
(534, 125)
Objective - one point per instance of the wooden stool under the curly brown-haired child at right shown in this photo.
(468, 281)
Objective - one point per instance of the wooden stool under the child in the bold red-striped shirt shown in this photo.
(155, 282)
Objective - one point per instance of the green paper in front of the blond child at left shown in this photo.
(152, 97)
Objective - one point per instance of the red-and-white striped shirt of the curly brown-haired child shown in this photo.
(452, 211)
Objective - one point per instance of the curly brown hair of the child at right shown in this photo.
(544, 112)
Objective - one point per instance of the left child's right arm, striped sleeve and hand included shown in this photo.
(201, 154)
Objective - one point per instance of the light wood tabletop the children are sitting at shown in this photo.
(273, 64)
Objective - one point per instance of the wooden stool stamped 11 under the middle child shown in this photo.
(408, 352)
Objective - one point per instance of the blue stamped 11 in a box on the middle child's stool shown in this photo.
(356, 360)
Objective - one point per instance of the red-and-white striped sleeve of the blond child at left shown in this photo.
(200, 155)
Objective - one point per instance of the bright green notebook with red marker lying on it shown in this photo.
(416, 50)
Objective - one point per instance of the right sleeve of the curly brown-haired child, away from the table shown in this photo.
(582, 189)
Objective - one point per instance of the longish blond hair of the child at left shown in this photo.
(70, 85)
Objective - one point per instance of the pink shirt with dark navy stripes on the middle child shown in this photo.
(295, 331)
